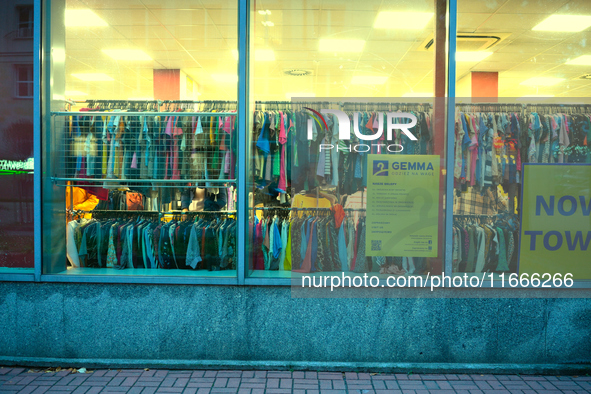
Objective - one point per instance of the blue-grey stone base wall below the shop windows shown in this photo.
(258, 326)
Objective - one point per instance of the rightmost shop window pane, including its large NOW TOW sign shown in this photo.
(521, 140)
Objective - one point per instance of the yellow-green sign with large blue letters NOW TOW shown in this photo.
(556, 220)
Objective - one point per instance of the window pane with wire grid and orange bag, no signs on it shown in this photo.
(143, 137)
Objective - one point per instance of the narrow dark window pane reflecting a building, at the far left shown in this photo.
(16, 131)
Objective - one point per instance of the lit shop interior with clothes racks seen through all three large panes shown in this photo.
(181, 56)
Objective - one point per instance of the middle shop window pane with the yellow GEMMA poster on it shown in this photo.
(315, 204)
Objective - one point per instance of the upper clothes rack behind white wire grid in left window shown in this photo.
(120, 144)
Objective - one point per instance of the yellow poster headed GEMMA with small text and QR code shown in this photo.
(402, 205)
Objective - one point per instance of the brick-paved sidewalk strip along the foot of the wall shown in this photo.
(139, 381)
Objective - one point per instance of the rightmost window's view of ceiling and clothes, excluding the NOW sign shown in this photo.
(518, 73)
